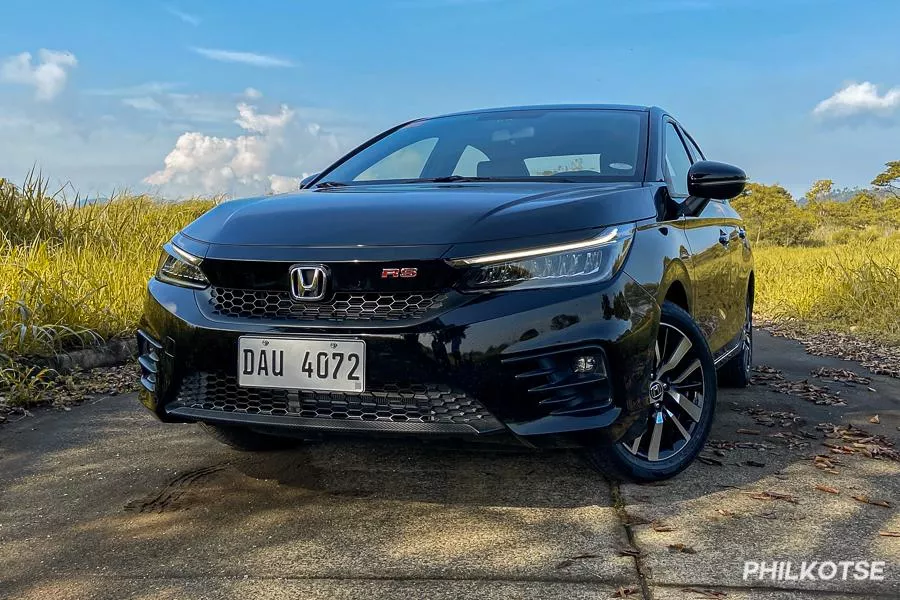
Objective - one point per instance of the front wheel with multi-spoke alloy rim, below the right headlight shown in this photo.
(683, 386)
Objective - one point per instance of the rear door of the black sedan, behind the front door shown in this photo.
(734, 237)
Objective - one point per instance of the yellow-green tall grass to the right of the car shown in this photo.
(845, 287)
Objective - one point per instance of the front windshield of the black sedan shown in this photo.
(575, 145)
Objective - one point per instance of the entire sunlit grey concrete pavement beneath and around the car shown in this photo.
(104, 502)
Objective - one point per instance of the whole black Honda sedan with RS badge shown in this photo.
(555, 276)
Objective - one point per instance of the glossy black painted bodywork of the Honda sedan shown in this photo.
(698, 258)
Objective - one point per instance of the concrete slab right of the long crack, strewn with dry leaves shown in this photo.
(721, 514)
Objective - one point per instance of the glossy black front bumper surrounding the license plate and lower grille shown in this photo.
(484, 365)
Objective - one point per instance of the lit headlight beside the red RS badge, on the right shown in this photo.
(588, 261)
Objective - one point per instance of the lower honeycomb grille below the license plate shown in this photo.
(415, 403)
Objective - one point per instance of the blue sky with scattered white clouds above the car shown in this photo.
(206, 97)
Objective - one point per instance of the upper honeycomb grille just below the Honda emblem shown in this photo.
(344, 306)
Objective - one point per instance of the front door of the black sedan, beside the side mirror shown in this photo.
(708, 240)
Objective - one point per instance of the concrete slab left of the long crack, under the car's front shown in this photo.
(106, 491)
